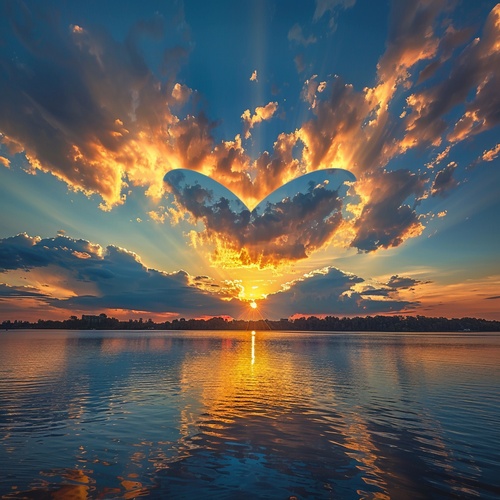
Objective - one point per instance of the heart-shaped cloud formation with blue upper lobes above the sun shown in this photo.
(298, 218)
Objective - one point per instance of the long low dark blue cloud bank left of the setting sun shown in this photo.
(118, 279)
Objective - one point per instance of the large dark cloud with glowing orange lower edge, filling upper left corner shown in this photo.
(87, 108)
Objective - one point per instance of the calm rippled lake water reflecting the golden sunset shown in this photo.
(235, 415)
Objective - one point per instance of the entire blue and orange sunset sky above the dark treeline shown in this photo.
(191, 159)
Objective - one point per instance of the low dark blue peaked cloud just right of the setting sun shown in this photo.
(330, 291)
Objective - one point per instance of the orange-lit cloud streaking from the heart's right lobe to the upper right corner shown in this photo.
(356, 130)
